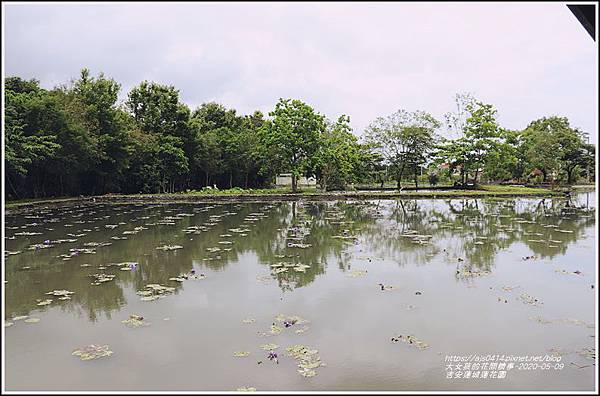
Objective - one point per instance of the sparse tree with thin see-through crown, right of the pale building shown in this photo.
(404, 139)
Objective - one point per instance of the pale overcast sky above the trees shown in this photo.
(361, 59)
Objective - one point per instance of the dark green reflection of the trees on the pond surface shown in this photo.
(466, 232)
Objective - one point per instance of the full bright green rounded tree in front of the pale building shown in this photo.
(291, 139)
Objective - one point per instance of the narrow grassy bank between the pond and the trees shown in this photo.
(223, 196)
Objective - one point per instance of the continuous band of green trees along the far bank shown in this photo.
(76, 139)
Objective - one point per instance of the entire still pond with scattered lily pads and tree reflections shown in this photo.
(462, 277)
